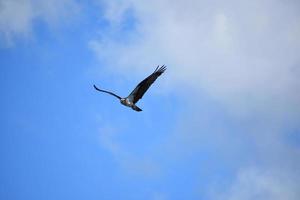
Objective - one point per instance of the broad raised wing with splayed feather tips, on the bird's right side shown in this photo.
(143, 86)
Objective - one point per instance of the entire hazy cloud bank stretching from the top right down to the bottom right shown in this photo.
(241, 56)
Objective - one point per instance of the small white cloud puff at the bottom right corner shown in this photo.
(258, 184)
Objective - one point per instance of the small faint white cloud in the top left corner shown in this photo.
(17, 17)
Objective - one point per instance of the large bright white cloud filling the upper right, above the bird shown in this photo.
(228, 50)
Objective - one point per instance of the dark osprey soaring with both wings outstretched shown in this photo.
(139, 90)
